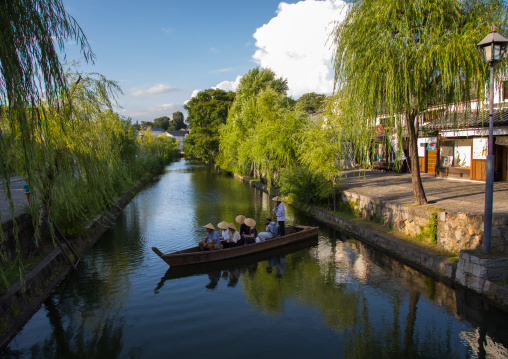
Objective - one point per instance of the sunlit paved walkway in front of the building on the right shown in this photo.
(448, 194)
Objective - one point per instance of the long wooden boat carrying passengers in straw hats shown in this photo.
(193, 255)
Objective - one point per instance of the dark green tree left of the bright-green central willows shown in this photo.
(207, 112)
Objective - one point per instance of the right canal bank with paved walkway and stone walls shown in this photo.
(385, 200)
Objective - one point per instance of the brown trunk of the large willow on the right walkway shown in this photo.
(416, 180)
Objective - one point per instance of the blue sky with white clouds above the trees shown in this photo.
(163, 52)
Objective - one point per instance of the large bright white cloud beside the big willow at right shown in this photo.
(295, 44)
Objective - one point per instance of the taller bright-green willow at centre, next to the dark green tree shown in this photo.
(261, 130)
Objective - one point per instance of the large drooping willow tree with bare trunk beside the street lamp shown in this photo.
(394, 59)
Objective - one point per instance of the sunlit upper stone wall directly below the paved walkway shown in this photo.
(453, 231)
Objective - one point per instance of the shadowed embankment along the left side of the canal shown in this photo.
(21, 300)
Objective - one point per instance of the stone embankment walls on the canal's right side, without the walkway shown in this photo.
(453, 231)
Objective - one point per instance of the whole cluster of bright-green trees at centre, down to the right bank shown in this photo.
(267, 136)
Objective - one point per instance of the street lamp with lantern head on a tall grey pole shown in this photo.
(492, 49)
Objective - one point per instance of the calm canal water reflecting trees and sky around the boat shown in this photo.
(333, 297)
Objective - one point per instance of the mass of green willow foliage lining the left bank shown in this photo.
(81, 157)
